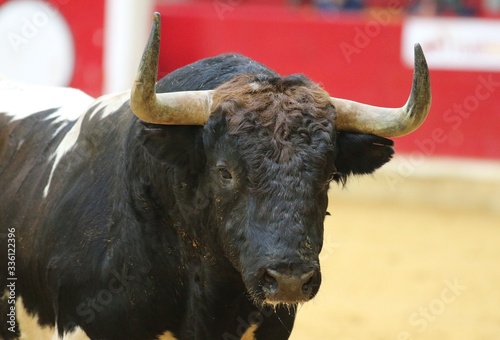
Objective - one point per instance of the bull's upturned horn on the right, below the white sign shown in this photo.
(389, 122)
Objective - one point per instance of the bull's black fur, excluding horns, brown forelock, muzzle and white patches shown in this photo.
(151, 228)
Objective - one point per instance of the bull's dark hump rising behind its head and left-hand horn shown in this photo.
(208, 73)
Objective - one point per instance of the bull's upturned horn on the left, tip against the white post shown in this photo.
(174, 108)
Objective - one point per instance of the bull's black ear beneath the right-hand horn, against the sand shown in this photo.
(360, 154)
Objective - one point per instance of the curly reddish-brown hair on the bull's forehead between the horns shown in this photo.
(287, 109)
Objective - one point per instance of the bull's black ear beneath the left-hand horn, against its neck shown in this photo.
(173, 145)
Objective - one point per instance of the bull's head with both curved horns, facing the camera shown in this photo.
(272, 146)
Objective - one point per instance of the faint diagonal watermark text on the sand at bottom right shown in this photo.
(425, 315)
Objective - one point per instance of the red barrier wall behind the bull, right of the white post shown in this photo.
(355, 56)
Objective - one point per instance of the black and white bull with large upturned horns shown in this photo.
(190, 208)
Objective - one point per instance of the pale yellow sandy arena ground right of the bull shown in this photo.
(416, 260)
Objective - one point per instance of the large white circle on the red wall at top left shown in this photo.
(36, 44)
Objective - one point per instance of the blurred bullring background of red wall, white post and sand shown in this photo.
(412, 252)
